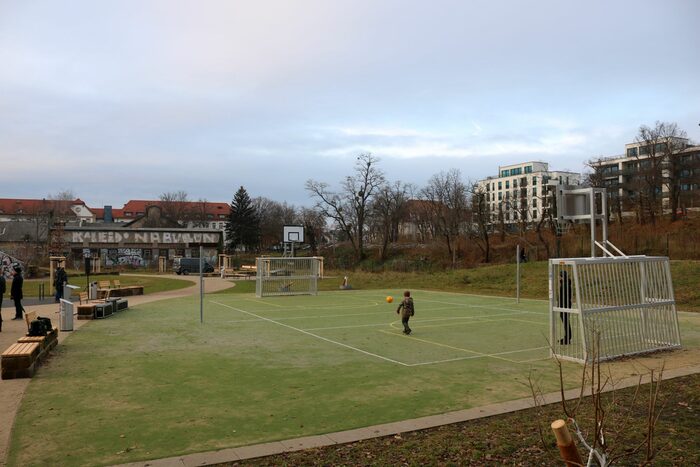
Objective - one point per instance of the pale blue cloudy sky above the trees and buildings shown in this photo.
(130, 99)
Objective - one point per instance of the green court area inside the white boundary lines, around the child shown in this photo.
(446, 328)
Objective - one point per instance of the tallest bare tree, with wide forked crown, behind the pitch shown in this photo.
(349, 207)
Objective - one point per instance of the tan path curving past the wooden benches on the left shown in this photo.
(12, 390)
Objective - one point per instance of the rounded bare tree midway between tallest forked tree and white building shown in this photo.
(446, 195)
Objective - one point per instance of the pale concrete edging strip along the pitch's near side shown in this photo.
(388, 429)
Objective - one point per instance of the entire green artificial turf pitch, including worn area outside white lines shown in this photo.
(154, 382)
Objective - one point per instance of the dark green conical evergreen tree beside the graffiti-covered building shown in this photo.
(243, 226)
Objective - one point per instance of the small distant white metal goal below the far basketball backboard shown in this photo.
(287, 276)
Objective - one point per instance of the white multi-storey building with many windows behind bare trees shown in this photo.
(519, 191)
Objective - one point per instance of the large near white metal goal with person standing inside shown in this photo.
(611, 307)
